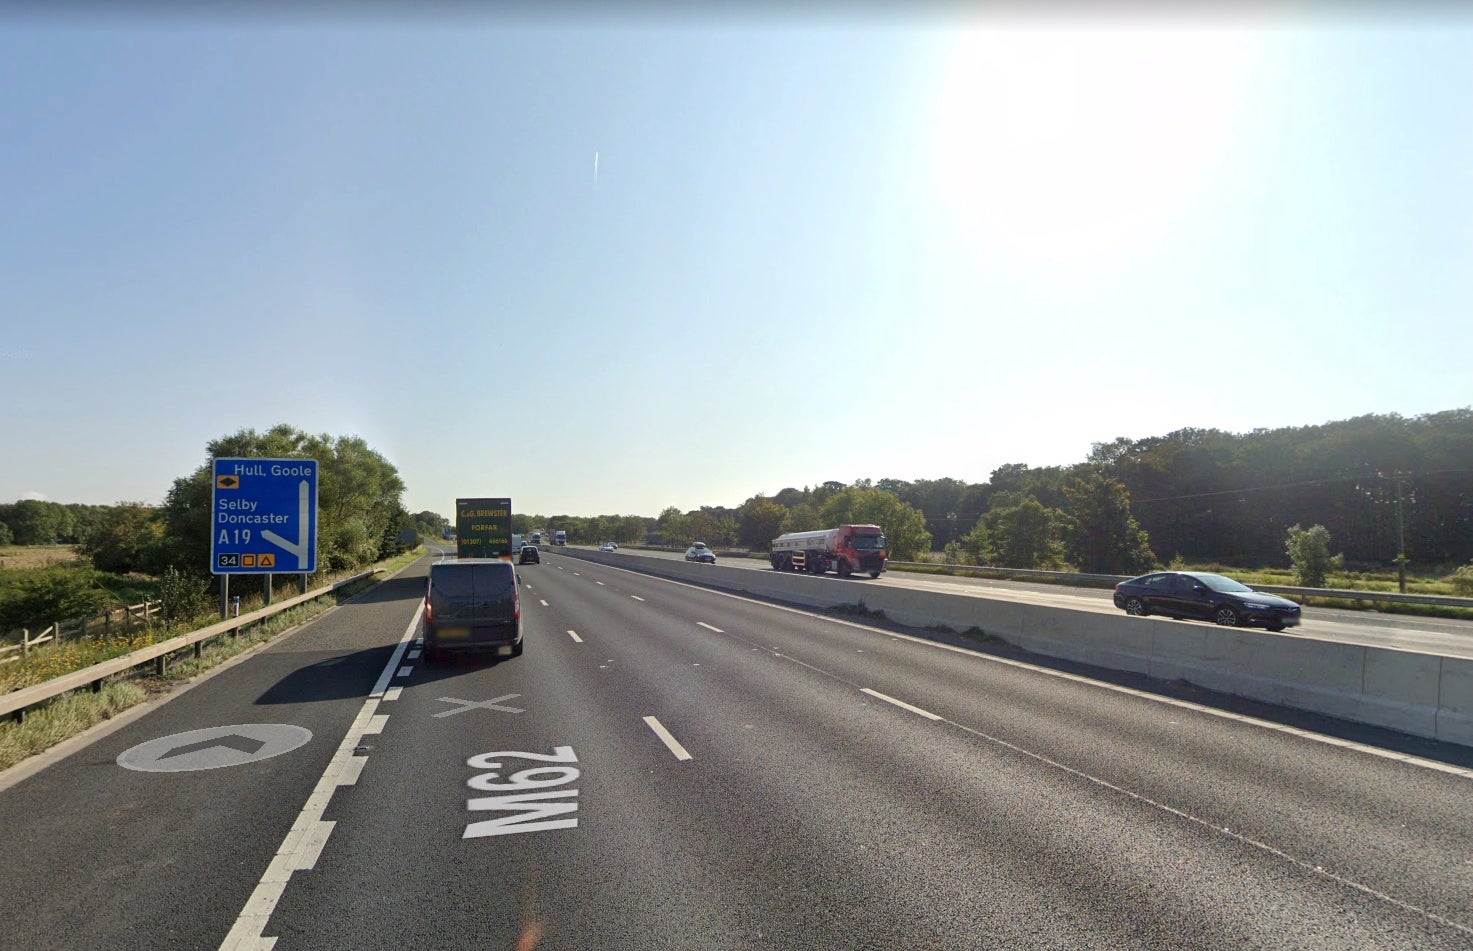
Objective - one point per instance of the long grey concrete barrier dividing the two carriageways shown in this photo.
(1419, 694)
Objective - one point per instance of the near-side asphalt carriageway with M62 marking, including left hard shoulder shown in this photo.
(675, 768)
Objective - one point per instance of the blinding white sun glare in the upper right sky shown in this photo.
(1080, 146)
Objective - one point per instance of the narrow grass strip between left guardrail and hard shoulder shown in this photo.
(79, 712)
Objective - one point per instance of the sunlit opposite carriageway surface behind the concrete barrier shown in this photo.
(1402, 632)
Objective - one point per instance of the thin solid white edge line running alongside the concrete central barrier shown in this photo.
(1170, 701)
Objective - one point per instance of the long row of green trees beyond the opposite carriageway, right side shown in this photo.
(1378, 485)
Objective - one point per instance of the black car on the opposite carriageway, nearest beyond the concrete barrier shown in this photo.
(1206, 597)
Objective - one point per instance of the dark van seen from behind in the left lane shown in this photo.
(472, 606)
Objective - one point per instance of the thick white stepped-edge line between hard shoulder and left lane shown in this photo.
(309, 835)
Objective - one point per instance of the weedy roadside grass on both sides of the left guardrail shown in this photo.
(73, 713)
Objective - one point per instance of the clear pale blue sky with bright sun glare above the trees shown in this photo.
(817, 248)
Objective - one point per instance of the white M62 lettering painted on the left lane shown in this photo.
(530, 812)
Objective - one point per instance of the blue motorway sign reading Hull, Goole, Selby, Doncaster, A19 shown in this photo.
(264, 517)
